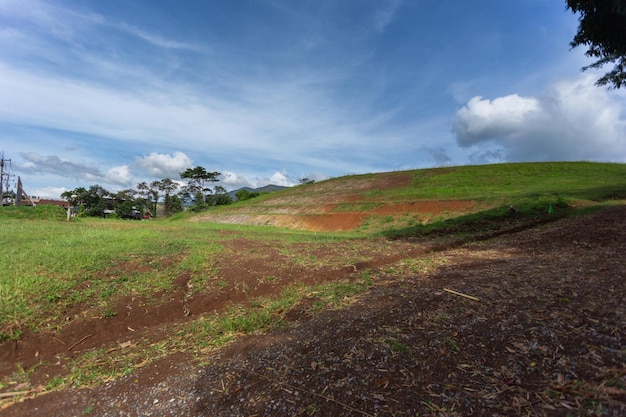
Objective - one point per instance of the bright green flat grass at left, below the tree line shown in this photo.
(51, 265)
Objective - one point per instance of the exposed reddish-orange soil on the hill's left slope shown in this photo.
(335, 206)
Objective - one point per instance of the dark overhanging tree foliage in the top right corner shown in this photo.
(602, 29)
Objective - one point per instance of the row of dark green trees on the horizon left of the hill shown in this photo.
(143, 199)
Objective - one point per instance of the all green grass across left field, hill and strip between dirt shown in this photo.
(50, 265)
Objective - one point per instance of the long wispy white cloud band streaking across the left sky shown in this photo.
(171, 114)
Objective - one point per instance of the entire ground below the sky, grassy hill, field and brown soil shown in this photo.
(479, 311)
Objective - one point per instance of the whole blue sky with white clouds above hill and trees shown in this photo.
(271, 91)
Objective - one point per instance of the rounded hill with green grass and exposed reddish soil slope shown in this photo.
(396, 200)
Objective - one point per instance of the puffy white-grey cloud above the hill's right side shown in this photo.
(573, 120)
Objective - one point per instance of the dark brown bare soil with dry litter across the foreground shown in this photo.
(546, 337)
